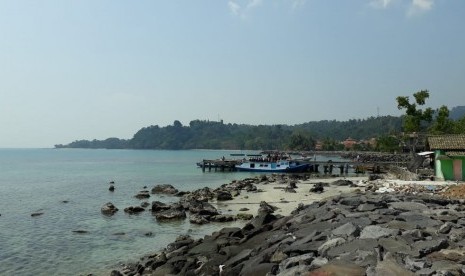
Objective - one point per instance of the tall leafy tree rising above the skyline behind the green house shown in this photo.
(413, 116)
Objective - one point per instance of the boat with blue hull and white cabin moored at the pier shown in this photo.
(281, 166)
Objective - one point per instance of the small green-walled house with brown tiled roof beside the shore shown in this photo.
(449, 156)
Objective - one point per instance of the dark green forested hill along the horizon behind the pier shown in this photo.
(216, 135)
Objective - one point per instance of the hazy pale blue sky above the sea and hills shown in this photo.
(87, 69)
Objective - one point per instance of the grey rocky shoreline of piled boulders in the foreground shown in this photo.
(377, 229)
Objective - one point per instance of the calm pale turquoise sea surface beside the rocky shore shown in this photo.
(69, 186)
